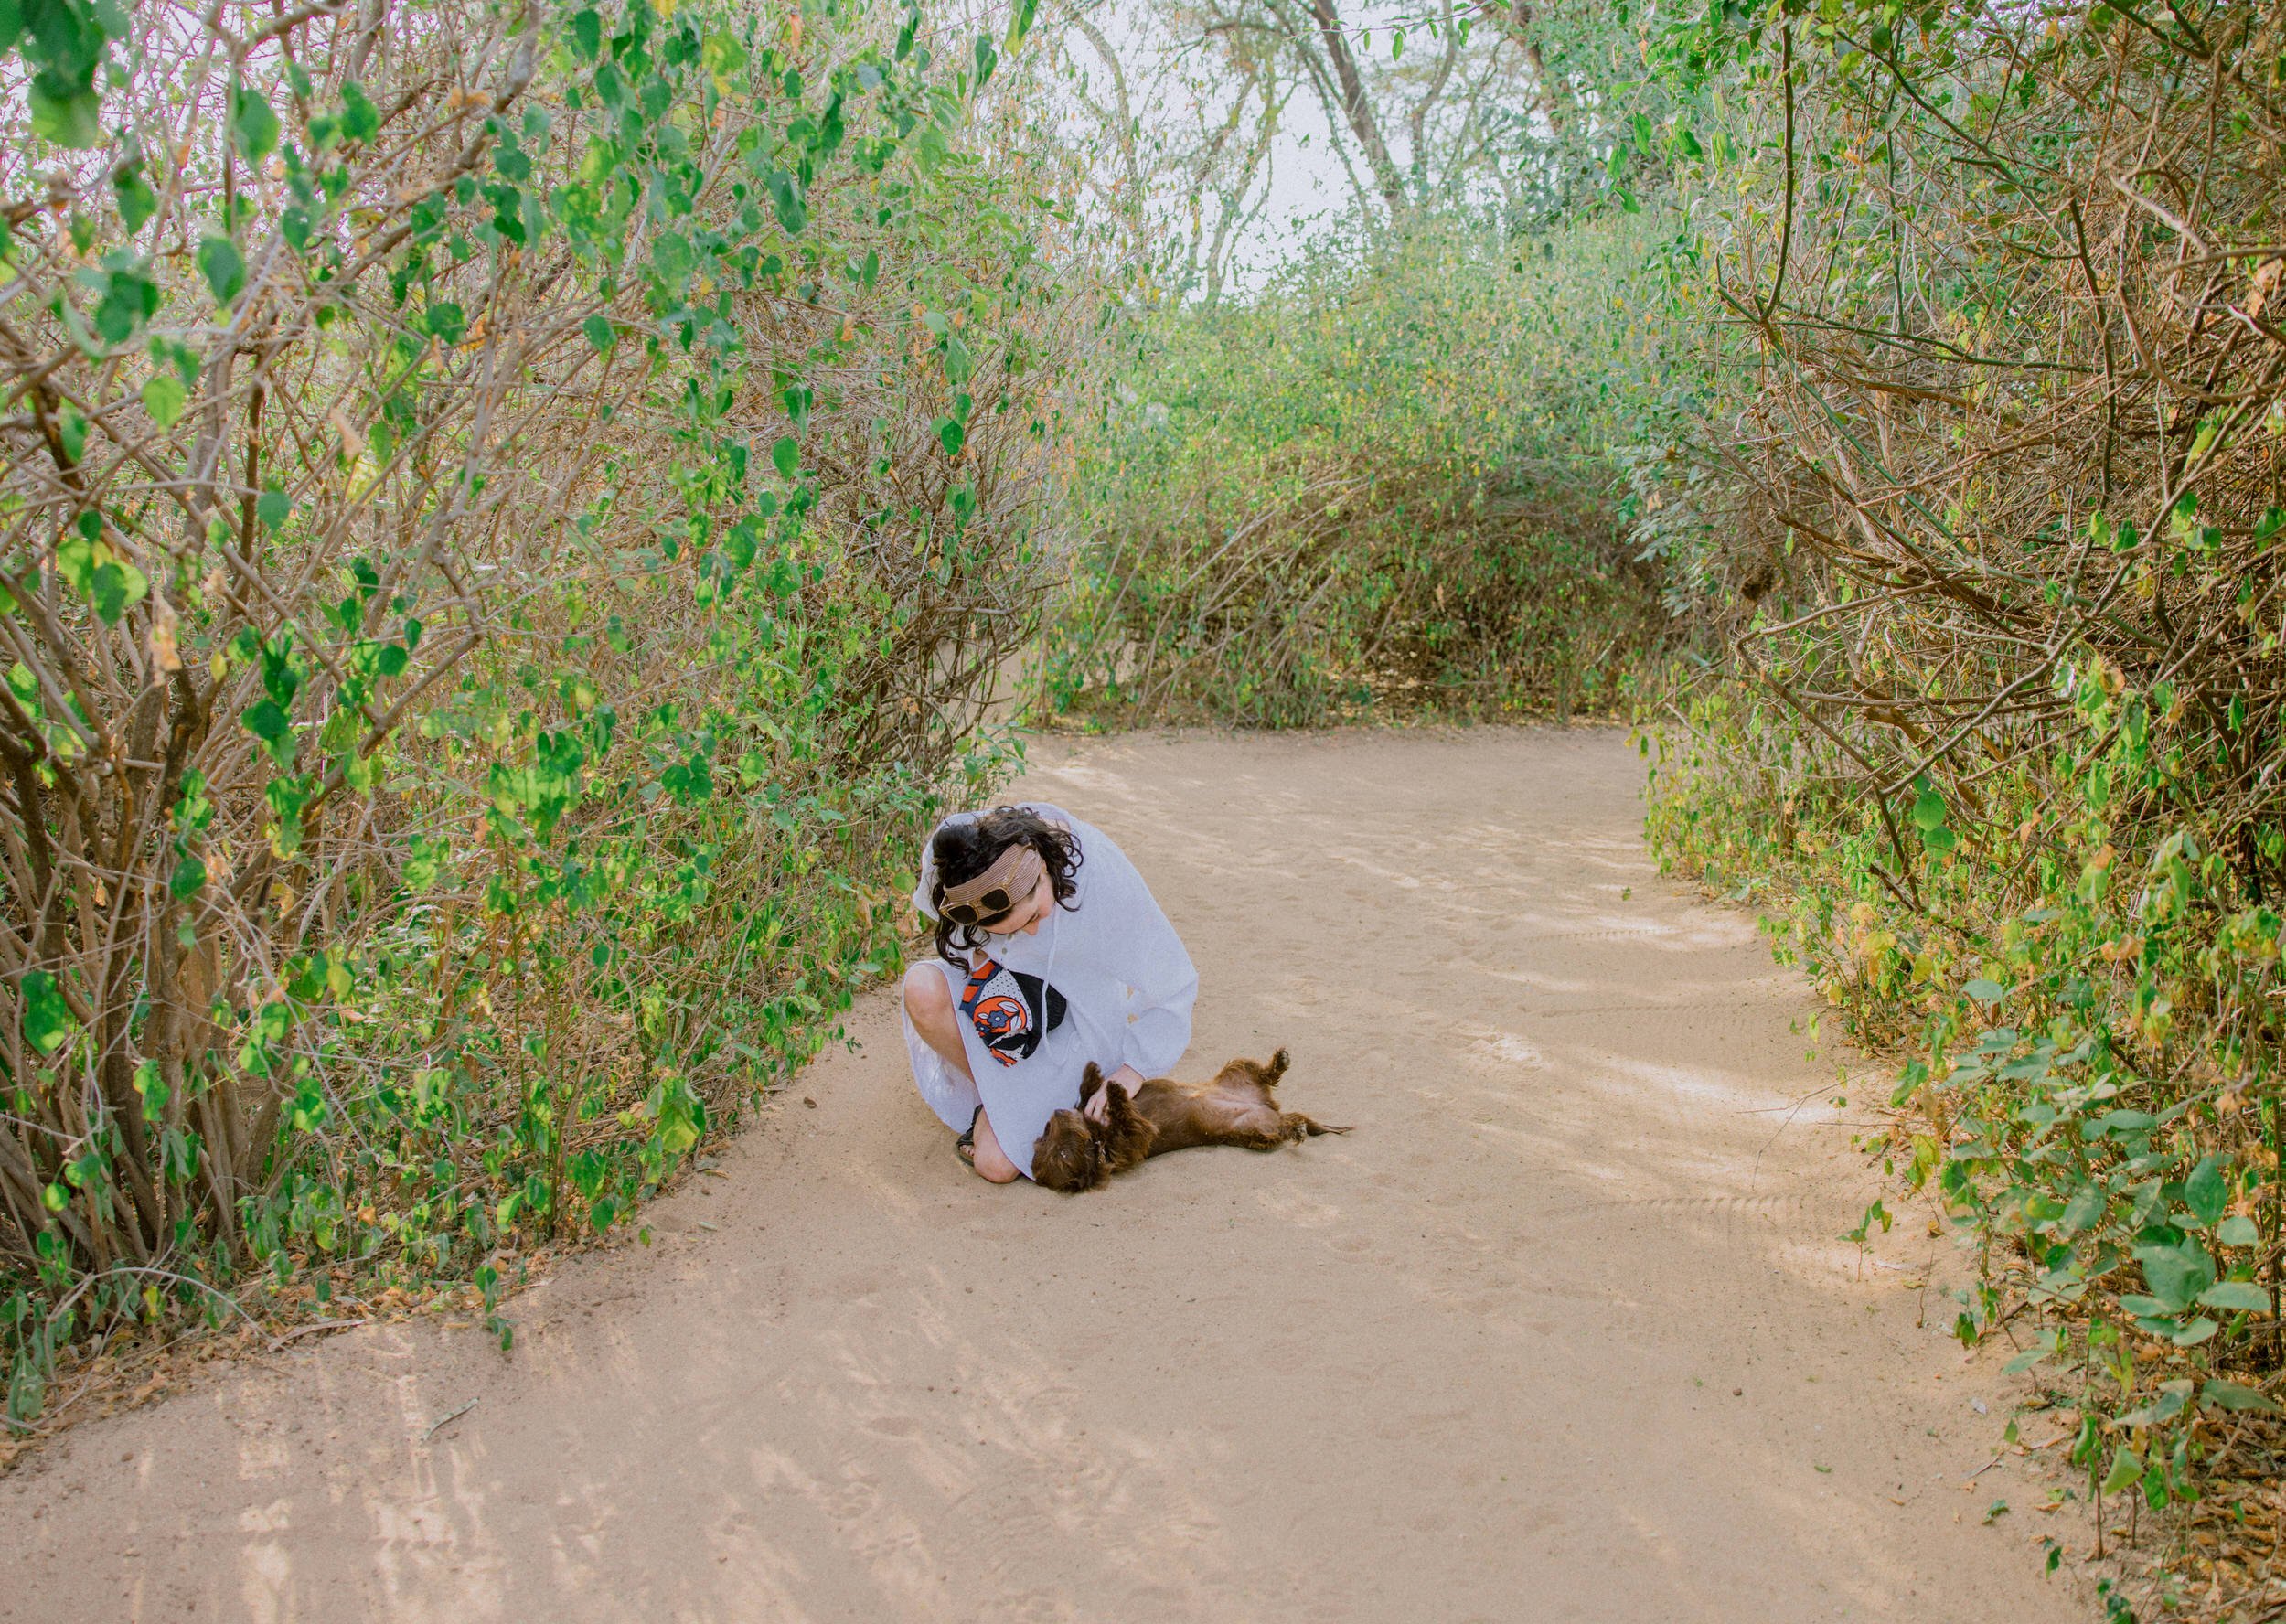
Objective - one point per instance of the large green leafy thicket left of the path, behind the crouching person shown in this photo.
(511, 518)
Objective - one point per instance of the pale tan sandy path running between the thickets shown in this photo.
(1562, 1332)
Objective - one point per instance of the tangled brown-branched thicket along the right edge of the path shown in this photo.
(1983, 520)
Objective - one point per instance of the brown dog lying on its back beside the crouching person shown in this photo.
(1165, 1115)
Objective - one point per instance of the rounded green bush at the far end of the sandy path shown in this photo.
(1384, 486)
